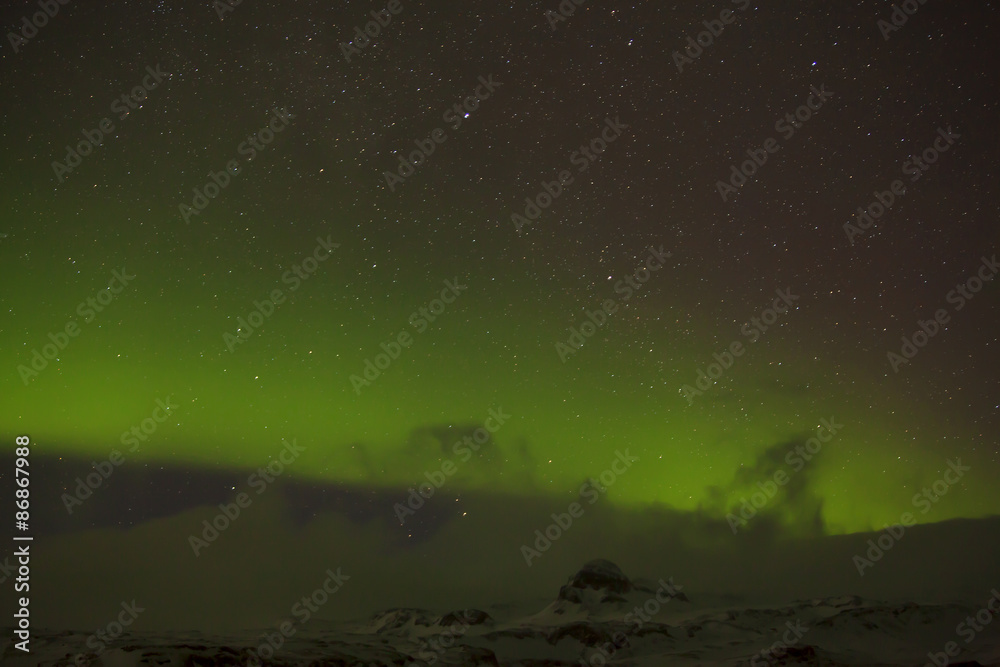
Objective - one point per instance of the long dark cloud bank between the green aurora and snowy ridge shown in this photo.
(449, 554)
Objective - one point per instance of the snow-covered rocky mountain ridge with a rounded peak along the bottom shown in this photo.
(599, 617)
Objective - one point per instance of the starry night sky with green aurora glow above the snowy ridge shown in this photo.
(565, 269)
